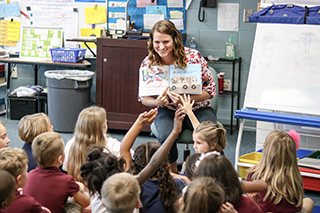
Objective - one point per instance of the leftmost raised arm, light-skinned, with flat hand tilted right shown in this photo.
(128, 140)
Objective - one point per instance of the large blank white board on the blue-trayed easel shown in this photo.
(285, 69)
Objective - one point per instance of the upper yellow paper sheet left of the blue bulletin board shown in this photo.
(95, 15)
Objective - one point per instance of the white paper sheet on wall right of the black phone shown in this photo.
(228, 17)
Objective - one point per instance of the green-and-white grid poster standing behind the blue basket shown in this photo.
(37, 42)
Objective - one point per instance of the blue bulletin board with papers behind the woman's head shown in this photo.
(137, 13)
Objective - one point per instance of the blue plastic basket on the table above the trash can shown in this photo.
(67, 54)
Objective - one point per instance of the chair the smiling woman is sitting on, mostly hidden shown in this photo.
(185, 136)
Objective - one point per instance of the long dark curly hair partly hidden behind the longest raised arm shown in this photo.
(167, 189)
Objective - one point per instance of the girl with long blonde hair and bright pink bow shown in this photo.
(278, 167)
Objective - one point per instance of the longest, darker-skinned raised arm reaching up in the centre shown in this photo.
(160, 155)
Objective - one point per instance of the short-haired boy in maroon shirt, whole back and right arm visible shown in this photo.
(47, 184)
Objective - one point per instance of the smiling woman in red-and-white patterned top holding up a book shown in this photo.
(166, 48)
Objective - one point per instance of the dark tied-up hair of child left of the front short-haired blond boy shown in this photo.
(99, 165)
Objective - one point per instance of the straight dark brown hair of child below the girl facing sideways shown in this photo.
(220, 168)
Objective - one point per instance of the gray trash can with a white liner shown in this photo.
(68, 93)
